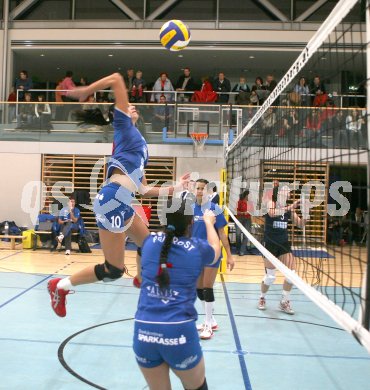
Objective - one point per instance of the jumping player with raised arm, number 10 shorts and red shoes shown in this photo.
(112, 206)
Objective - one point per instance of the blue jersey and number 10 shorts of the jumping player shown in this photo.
(112, 204)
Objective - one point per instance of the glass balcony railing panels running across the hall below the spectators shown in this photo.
(280, 126)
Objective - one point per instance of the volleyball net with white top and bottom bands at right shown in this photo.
(310, 136)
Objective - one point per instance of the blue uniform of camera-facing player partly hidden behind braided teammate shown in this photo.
(198, 229)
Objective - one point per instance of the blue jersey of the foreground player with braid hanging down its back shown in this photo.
(175, 304)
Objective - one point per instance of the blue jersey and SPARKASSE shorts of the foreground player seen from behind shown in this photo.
(165, 328)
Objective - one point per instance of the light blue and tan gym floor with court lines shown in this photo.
(91, 347)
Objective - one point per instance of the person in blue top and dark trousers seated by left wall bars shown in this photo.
(68, 221)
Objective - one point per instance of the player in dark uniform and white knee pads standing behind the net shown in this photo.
(277, 242)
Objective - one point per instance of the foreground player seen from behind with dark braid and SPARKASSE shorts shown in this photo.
(165, 335)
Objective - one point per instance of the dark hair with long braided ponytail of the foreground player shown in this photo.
(179, 217)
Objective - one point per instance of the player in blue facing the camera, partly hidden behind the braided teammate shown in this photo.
(207, 279)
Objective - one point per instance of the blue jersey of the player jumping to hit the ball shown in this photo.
(130, 151)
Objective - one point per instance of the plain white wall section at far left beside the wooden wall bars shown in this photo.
(18, 170)
